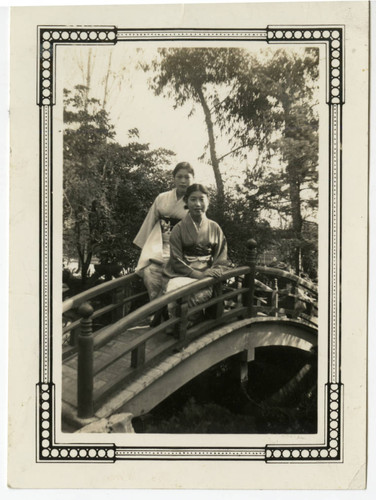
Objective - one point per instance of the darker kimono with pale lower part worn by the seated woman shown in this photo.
(194, 248)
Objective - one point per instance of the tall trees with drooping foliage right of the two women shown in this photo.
(264, 108)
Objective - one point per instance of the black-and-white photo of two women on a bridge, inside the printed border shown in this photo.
(215, 331)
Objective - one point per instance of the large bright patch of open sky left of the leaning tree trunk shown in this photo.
(132, 104)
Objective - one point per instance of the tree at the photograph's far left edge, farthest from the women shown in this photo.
(85, 136)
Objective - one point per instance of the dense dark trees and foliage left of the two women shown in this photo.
(108, 188)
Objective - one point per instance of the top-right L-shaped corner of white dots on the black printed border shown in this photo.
(333, 38)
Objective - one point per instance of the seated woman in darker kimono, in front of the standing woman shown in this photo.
(198, 248)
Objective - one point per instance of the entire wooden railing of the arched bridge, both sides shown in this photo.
(235, 295)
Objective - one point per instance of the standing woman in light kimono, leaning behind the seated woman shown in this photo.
(154, 234)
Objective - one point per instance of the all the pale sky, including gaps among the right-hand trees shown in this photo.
(131, 103)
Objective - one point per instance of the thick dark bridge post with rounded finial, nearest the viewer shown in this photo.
(85, 405)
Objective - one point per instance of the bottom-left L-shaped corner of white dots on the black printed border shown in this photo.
(49, 451)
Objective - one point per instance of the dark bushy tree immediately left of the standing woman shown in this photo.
(135, 176)
